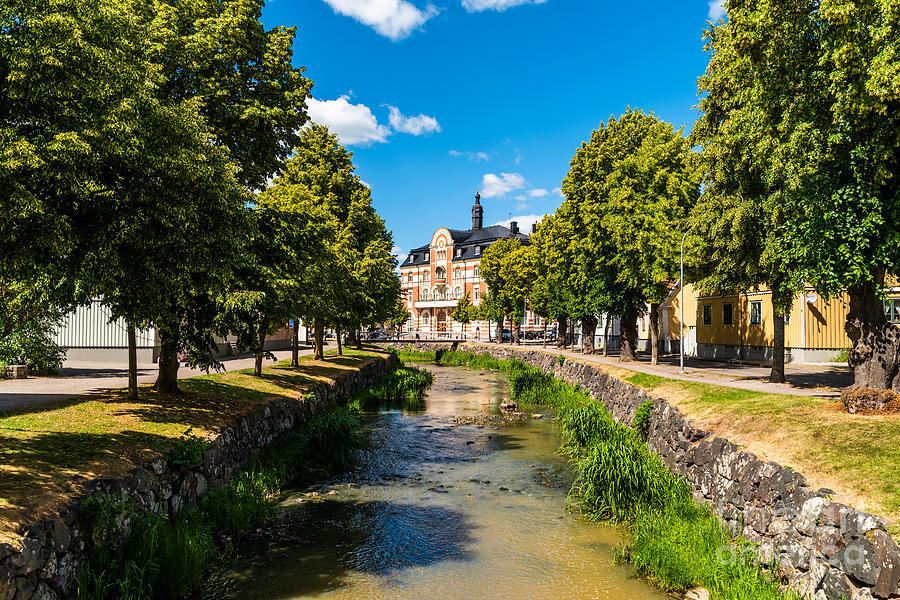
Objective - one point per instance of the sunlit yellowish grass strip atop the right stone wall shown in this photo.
(857, 456)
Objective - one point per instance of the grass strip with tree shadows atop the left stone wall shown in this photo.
(48, 453)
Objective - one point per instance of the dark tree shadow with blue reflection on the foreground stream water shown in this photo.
(373, 537)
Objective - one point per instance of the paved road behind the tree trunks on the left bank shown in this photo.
(79, 378)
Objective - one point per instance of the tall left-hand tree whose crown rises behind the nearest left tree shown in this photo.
(218, 55)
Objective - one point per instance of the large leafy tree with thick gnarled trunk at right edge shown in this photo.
(823, 89)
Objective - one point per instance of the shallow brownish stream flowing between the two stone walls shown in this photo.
(436, 508)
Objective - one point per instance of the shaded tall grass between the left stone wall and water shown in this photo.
(165, 558)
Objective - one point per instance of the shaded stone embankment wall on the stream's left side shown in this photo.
(44, 564)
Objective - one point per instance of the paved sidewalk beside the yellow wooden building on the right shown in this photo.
(823, 381)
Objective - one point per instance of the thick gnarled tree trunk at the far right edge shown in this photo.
(875, 354)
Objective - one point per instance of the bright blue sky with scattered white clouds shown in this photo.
(438, 98)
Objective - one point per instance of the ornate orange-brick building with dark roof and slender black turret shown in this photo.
(435, 276)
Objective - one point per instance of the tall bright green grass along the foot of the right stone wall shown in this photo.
(675, 543)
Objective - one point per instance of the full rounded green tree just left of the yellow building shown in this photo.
(627, 192)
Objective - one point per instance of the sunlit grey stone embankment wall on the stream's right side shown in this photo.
(824, 549)
